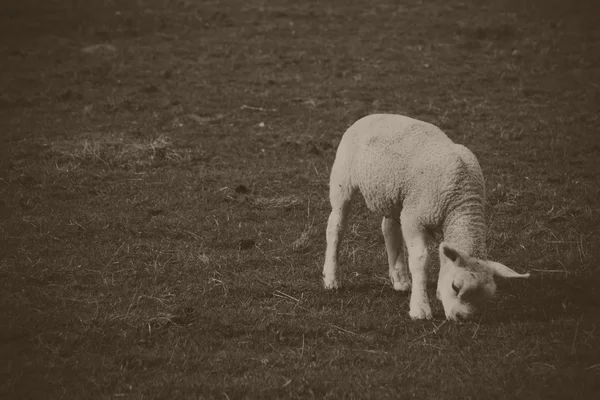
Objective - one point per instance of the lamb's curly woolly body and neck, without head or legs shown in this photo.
(397, 161)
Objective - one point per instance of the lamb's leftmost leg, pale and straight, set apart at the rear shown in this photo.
(340, 194)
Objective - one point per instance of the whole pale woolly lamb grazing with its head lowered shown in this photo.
(425, 186)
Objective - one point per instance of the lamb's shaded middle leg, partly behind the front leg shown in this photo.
(394, 245)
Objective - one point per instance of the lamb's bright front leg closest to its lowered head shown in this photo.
(415, 237)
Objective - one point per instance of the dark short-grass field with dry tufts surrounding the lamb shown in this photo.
(164, 173)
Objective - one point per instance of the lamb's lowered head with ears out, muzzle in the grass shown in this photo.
(467, 282)
